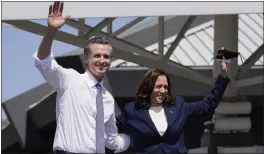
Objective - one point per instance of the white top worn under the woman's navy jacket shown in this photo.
(159, 119)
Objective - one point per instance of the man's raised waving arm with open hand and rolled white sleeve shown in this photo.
(53, 73)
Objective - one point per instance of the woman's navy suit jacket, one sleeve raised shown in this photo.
(137, 122)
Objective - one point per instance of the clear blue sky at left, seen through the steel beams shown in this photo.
(18, 46)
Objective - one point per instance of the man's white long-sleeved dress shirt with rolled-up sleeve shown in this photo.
(76, 109)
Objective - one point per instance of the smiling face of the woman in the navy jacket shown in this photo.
(159, 91)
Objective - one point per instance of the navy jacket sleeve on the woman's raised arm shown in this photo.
(211, 101)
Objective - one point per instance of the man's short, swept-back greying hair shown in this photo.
(96, 40)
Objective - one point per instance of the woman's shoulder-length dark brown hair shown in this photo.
(146, 86)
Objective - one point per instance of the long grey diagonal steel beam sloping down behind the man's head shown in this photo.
(149, 59)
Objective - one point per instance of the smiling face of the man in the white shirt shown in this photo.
(99, 60)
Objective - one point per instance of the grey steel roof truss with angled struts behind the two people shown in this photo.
(132, 53)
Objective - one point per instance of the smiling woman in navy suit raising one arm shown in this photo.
(155, 122)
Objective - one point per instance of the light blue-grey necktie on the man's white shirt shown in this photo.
(100, 144)
